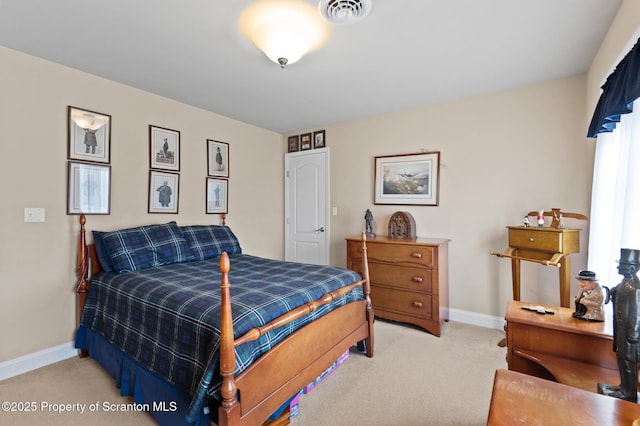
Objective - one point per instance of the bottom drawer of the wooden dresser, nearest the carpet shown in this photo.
(418, 304)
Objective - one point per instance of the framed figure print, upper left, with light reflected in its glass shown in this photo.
(89, 135)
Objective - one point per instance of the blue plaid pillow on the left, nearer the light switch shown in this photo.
(147, 246)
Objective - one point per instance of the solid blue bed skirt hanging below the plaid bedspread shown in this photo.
(166, 403)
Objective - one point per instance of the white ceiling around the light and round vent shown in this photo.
(405, 54)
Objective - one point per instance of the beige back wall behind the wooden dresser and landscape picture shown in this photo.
(502, 156)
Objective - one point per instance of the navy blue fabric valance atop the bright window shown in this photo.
(619, 92)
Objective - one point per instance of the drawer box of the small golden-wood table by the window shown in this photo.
(548, 240)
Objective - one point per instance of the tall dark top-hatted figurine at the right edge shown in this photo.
(626, 327)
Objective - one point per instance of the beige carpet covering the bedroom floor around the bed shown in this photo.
(414, 379)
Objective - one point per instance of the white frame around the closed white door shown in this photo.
(287, 207)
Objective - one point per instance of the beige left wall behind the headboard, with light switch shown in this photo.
(37, 260)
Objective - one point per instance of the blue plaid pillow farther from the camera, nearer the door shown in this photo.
(207, 241)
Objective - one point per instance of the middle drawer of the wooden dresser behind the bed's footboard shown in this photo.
(414, 279)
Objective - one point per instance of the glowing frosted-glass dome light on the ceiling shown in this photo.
(284, 29)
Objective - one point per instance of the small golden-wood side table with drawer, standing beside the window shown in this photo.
(547, 246)
